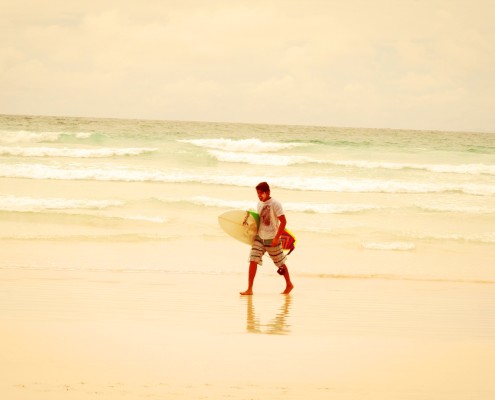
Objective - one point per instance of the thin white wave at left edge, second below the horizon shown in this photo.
(73, 153)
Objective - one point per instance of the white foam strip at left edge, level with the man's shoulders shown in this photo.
(31, 204)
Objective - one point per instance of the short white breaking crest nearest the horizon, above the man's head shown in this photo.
(252, 145)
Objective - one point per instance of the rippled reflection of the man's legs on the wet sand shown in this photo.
(277, 326)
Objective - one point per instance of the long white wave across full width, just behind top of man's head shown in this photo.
(107, 172)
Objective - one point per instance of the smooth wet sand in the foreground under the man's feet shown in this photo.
(72, 334)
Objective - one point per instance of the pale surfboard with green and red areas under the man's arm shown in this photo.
(243, 226)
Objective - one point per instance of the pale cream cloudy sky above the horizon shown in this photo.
(399, 64)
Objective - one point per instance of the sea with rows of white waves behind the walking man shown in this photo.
(136, 195)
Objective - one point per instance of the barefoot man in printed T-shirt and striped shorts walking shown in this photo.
(272, 224)
